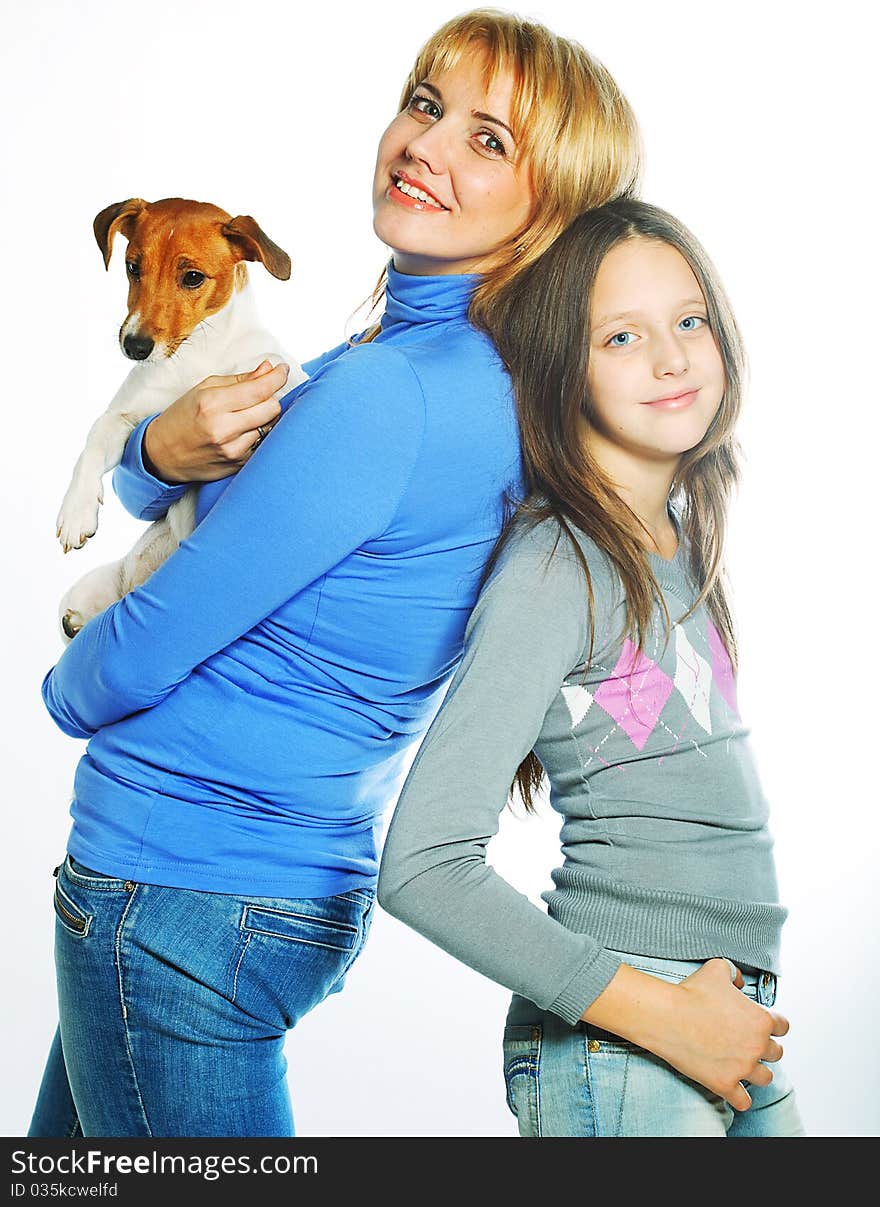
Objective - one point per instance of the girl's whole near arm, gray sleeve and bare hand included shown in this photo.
(527, 632)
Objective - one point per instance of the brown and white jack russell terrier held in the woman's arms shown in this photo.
(190, 316)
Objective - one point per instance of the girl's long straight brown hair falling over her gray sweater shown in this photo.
(541, 324)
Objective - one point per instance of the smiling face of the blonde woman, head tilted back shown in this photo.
(450, 188)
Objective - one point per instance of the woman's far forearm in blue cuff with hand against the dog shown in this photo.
(199, 439)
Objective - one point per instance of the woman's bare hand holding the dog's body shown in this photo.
(212, 430)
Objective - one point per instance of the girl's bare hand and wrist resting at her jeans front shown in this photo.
(704, 1027)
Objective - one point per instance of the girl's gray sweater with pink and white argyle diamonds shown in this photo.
(666, 844)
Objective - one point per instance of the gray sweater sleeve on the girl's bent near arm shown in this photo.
(528, 629)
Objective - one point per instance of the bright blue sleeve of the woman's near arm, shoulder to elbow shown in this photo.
(329, 479)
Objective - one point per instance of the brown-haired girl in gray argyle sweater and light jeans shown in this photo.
(602, 652)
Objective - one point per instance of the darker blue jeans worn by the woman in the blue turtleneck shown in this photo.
(174, 1005)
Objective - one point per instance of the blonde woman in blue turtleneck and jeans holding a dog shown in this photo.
(248, 710)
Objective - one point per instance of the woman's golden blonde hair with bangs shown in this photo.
(575, 130)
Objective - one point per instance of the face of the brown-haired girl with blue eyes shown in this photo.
(656, 375)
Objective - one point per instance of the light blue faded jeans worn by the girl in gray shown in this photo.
(580, 1081)
